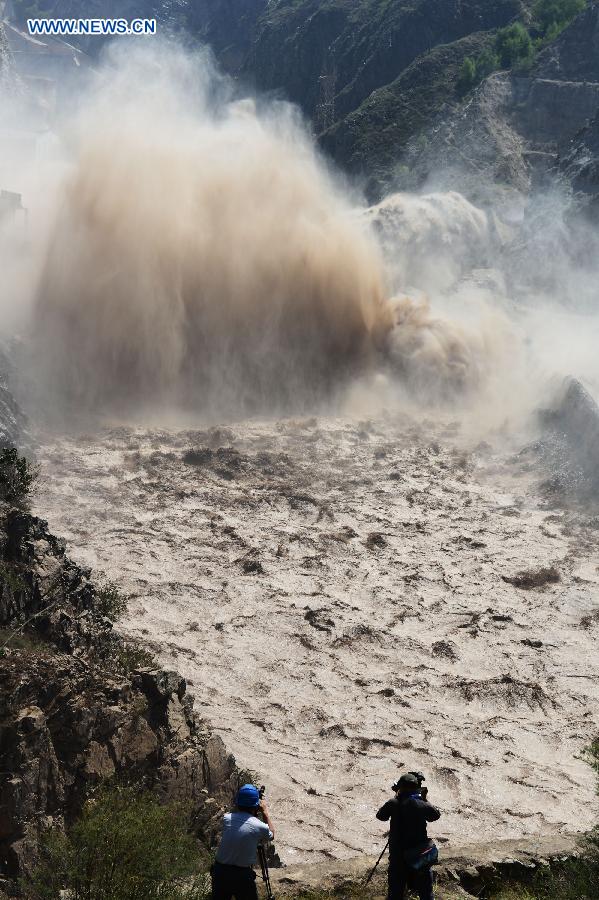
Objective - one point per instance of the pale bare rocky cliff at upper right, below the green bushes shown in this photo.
(520, 130)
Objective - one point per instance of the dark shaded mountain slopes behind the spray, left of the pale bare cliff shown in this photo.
(349, 64)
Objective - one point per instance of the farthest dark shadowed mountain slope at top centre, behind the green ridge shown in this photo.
(338, 52)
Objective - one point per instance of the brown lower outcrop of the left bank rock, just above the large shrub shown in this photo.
(66, 727)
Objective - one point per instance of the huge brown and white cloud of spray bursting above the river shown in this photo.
(186, 247)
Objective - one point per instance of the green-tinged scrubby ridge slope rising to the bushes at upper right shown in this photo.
(374, 139)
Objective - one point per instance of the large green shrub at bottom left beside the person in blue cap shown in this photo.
(125, 846)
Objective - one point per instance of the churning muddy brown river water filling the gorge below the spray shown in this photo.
(346, 599)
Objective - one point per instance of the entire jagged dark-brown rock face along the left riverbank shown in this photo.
(72, 716)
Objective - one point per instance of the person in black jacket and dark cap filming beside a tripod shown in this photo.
(411, 852)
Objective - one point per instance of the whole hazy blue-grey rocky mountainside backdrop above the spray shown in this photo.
(378, 79)
